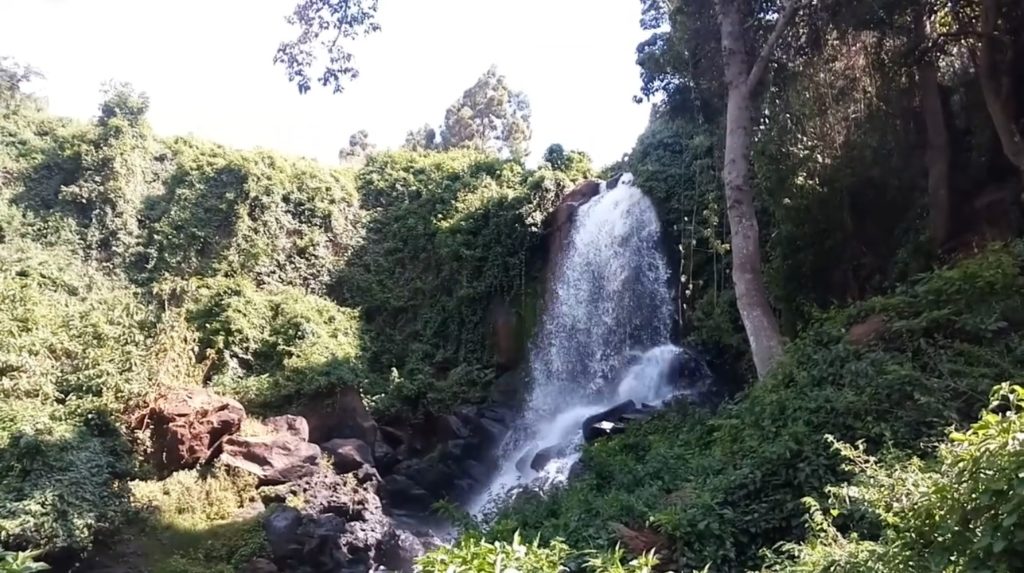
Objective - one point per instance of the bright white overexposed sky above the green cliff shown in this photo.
(207, 68)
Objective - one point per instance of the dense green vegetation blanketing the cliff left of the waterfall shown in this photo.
(132, 263)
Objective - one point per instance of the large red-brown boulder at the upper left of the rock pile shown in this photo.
(188, 427)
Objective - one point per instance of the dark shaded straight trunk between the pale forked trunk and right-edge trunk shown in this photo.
(937, 138)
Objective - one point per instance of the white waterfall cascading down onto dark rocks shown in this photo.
(603, 340)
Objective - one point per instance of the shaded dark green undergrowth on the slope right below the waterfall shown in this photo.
(721, 488)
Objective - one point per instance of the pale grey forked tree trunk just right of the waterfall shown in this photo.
(748, 278)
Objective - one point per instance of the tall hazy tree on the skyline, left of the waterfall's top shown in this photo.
(490, 117)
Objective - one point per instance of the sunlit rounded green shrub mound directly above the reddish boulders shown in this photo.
(272, 348)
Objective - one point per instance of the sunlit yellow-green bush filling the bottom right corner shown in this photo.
(959, 513)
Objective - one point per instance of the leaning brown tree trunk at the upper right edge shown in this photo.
(996, 89)
